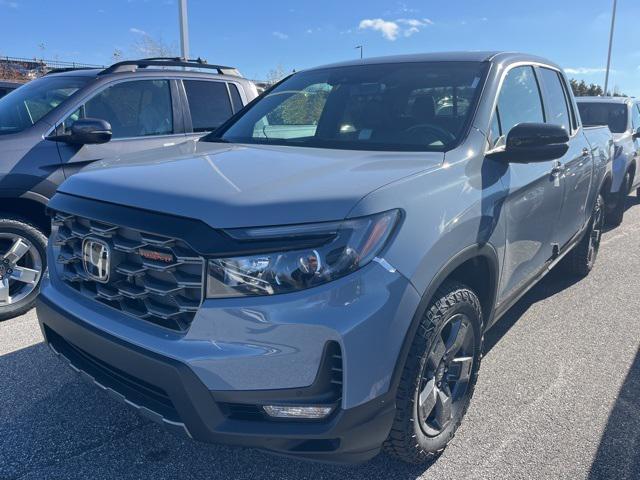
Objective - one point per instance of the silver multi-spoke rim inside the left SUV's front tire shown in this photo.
(20, 268)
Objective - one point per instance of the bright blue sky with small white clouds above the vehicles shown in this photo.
(257, 36)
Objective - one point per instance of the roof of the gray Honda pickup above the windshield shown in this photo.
(470, 56)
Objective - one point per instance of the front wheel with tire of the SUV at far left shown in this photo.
(22, 262)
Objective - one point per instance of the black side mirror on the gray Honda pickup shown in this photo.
(534, 142)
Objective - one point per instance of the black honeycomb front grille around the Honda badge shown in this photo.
(155, 278)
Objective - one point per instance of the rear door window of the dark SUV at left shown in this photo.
(209, 104)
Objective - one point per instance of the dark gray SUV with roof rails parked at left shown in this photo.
(52, 127)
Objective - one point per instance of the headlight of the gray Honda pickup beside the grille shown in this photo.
(343, 247)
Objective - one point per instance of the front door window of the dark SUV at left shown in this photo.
(134, 109)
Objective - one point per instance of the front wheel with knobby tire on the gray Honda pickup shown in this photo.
(439, 376)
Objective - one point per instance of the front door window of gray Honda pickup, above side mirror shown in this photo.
(519, 99)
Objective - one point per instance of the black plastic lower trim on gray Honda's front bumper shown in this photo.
(349, 436)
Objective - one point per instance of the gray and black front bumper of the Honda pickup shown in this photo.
(250, 353)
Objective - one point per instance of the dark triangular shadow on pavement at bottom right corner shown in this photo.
(618, 454)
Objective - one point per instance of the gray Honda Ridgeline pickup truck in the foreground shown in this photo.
(315, 277)
